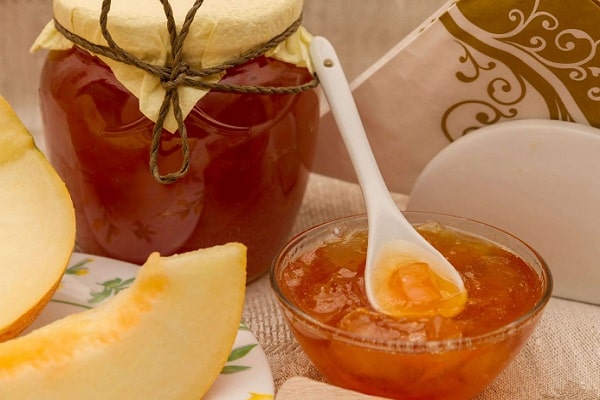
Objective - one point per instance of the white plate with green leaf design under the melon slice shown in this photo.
(90, 280)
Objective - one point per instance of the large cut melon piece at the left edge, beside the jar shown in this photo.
(37, 226)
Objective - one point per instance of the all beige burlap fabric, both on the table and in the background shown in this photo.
(560, 361)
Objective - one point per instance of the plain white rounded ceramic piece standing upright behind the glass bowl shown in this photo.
(537, 179)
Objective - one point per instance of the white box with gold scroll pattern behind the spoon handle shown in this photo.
(471, 64)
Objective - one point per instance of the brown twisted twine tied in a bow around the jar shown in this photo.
(177, 72)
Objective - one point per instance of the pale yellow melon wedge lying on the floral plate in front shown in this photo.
(167, 337)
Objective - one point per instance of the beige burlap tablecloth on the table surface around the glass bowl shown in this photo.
(560, 361)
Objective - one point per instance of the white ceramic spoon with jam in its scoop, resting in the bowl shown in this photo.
(394, 248)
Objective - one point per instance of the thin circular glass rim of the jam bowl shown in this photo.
(414, 347)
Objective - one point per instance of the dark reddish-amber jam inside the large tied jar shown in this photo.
(250, 160)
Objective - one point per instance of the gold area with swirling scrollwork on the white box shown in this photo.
(525, 47)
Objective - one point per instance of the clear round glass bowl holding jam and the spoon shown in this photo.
(457, 365)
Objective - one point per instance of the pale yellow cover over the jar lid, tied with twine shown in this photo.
(221, 31)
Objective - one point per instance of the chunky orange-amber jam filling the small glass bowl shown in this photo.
(320, 280)
